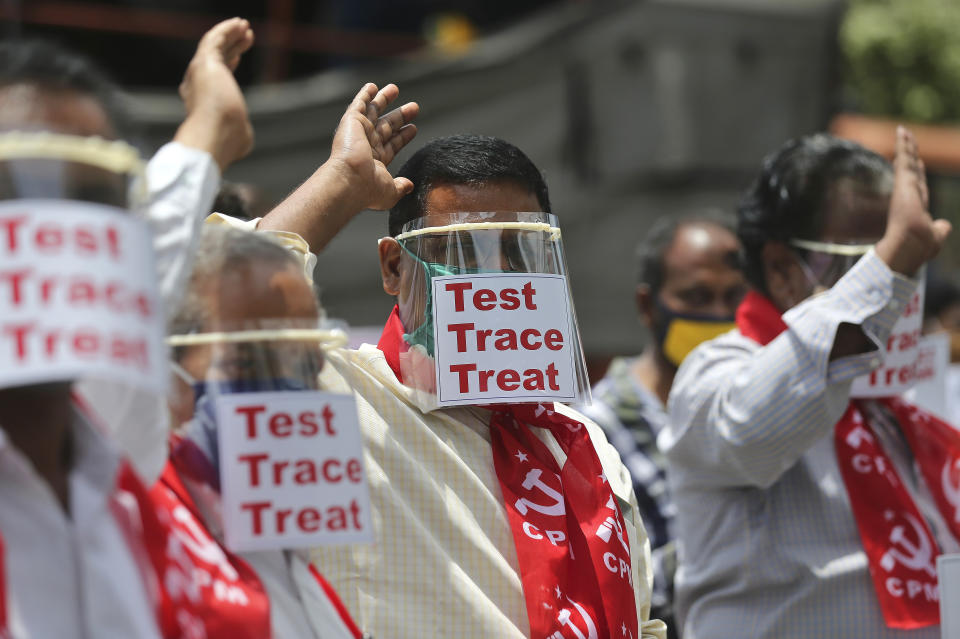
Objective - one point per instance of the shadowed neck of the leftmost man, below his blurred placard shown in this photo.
(37, 422)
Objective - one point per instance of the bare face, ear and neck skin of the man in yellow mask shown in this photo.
(701, 278)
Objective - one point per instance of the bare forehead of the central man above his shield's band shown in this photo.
(444, 199)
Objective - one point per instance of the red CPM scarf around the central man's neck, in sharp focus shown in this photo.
(573, 551)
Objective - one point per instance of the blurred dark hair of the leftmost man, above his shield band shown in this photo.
(50, 66)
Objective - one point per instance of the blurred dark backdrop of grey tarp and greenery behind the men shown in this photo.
(634, 110)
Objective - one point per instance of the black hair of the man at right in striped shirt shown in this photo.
(788, 199)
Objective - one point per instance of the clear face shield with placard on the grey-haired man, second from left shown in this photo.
(256, 435)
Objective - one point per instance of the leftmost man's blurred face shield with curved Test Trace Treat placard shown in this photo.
(78, 297)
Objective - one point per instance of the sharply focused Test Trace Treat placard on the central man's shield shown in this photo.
(503, 337)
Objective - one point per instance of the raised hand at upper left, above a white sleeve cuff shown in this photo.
(217, 119)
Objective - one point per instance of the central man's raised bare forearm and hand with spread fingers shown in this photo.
(355, 177)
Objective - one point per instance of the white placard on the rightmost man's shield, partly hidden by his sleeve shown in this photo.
(898, 372)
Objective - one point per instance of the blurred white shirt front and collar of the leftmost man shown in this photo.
(69, 575)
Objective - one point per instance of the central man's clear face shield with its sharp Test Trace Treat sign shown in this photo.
(487, 311)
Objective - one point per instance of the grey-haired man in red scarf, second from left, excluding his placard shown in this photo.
(245, 292)
